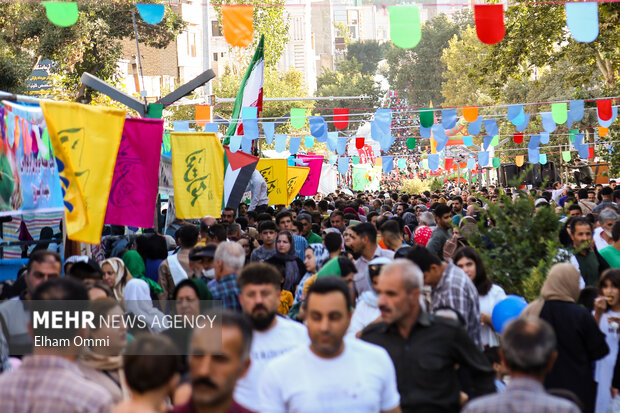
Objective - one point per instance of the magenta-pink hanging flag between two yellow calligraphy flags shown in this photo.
(133, 194)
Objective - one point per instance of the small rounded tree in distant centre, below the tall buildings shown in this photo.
(348, 81)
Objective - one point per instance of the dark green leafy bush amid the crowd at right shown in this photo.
(524, 243)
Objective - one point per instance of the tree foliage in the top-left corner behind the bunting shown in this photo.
(91, 45)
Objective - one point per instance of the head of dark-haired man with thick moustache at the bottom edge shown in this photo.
(214, 370)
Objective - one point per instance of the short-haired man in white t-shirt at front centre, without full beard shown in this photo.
(331, 374)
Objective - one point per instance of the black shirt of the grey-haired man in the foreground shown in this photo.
(425, 363)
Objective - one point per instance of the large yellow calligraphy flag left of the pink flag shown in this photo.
(85, 140)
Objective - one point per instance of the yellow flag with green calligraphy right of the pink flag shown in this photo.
(197, 174)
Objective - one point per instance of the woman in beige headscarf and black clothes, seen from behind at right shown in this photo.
(580, 342)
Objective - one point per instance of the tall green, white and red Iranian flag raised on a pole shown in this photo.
(250, 92)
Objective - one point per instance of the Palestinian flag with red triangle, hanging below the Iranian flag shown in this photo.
(239, 169)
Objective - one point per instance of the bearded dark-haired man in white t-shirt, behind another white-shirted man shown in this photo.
(273, 336)
